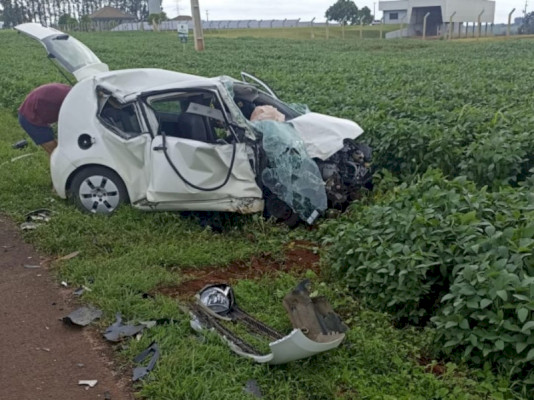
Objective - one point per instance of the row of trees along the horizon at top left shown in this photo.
(53, 12)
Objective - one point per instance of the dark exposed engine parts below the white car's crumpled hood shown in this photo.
(346, 173)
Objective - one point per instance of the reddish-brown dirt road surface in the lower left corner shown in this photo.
(42, 358)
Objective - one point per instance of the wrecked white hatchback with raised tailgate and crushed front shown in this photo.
(163, 140)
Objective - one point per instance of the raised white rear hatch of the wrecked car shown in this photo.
(71, 54)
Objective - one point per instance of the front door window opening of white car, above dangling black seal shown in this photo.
(194, 116)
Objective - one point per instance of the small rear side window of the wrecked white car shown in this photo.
(122, 119)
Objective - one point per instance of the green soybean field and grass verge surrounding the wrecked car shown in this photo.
(432, 271)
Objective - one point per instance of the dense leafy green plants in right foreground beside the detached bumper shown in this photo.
(445, 250)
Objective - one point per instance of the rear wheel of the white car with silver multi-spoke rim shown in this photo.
(98, 190)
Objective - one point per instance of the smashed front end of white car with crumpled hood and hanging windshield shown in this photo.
(305, 162)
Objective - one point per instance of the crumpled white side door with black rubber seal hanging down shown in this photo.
(196, 161)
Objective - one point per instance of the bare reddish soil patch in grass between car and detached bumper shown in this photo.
(298, 257)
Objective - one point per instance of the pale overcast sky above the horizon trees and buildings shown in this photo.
(293, 9)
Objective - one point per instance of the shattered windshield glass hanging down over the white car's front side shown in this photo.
(291, 174)
